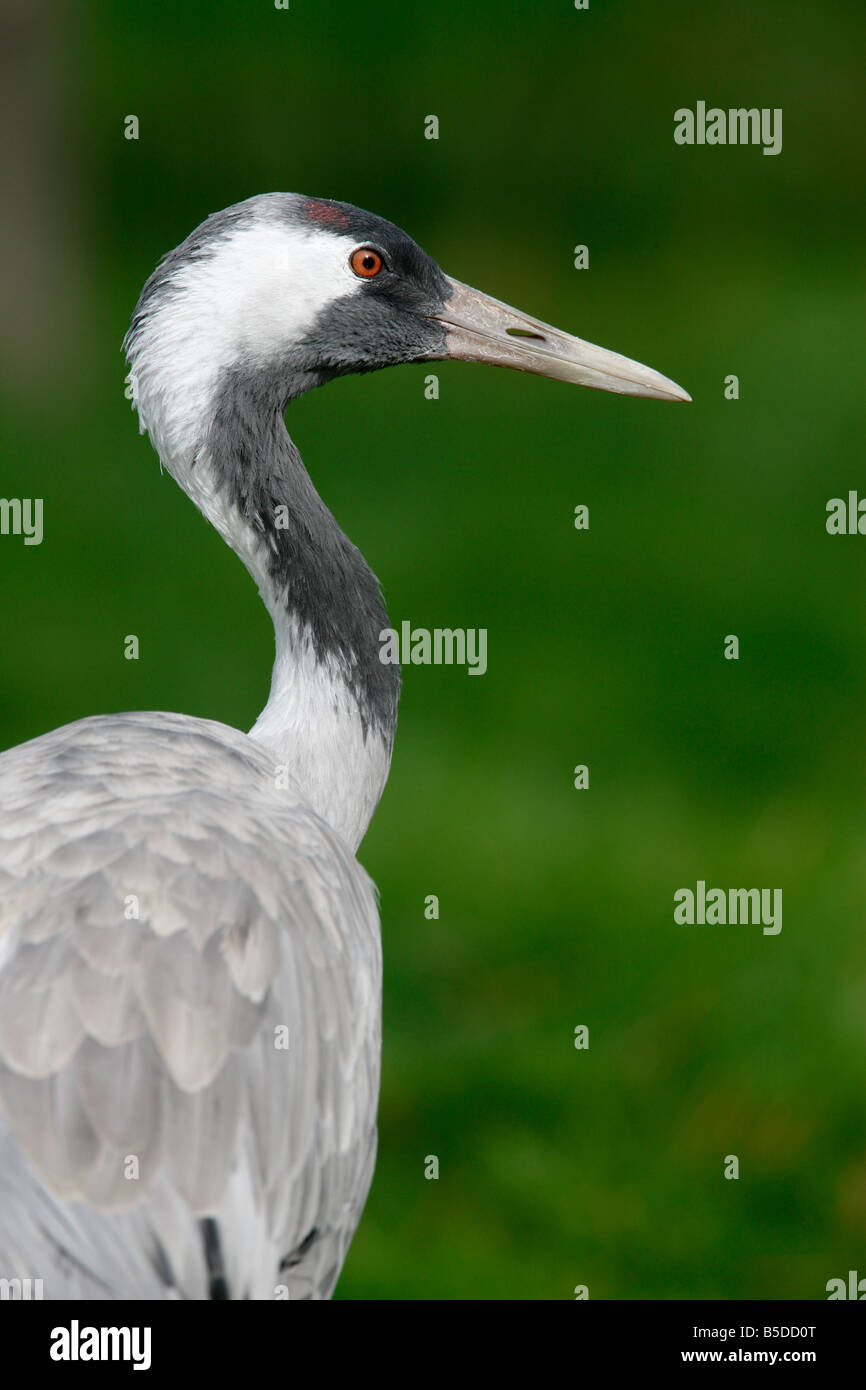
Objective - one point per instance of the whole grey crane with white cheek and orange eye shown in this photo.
(190, 950)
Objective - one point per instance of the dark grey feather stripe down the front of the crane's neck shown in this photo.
(329, 589)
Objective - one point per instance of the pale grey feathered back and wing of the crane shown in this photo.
(169, 922)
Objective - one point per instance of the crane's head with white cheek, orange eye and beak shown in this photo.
(295, 291)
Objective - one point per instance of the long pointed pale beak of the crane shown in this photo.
(480, 329)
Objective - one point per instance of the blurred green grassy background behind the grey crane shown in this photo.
(558, 1168)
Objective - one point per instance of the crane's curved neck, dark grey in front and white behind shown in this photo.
(332, 715)
